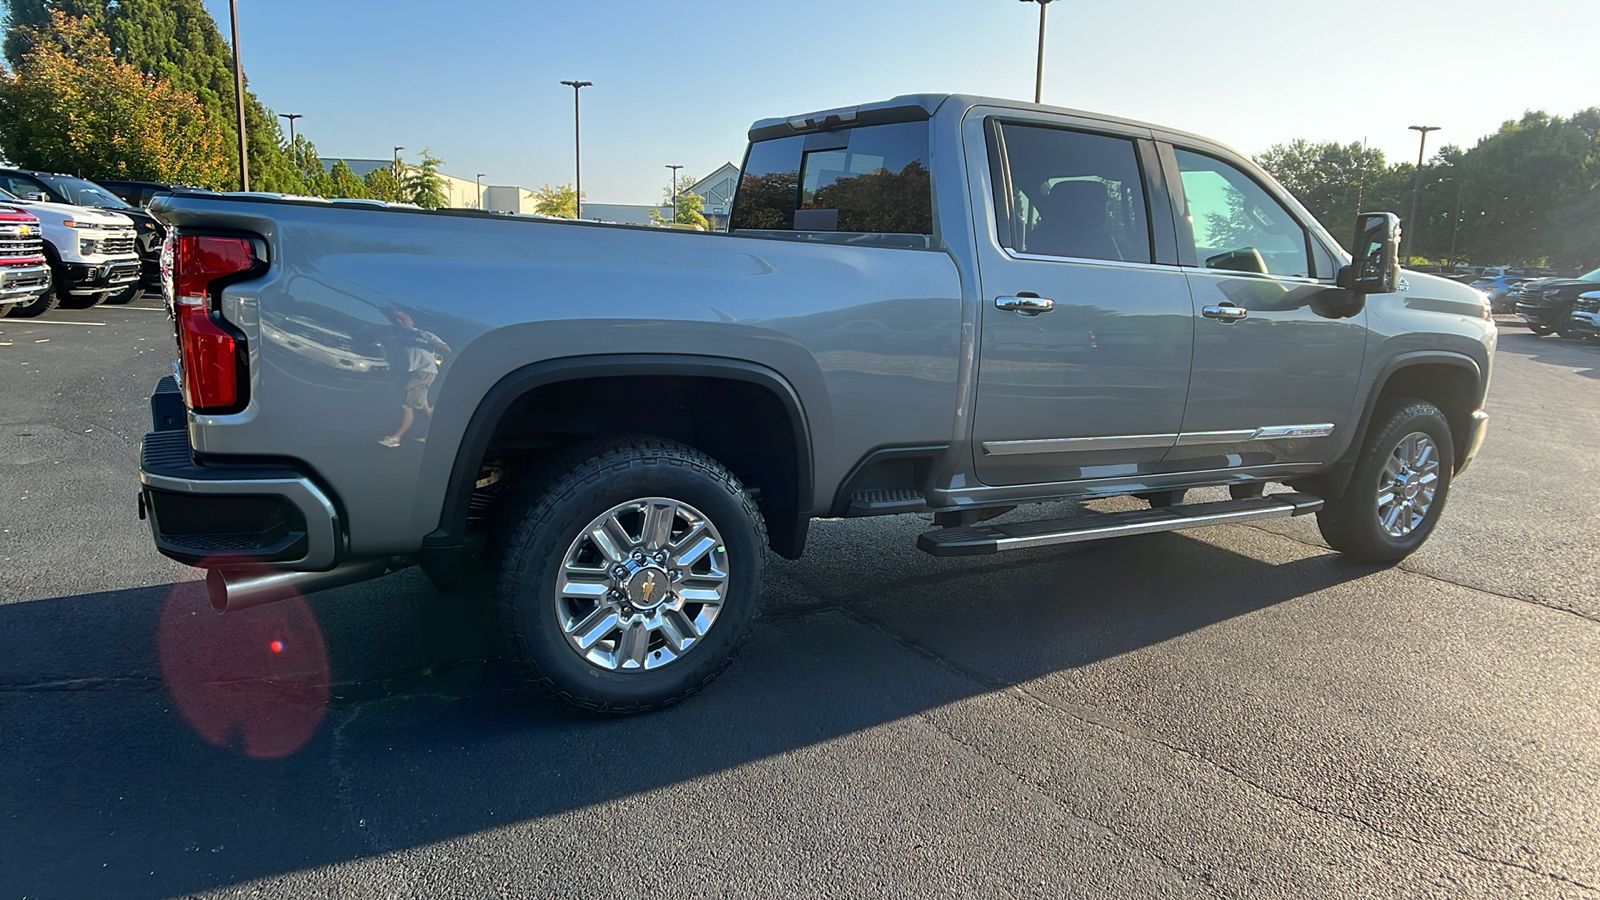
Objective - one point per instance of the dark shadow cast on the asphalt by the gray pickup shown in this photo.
(430, 736)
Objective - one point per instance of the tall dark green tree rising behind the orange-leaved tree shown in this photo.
(177, 42)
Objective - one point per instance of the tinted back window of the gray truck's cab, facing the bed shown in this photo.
(868, 180)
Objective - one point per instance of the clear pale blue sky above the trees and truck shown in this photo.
(478, 81)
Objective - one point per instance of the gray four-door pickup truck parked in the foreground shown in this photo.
(942, 305)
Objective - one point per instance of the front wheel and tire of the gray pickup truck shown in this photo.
(1399, 488)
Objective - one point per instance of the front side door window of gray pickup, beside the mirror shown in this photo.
(1236, 223)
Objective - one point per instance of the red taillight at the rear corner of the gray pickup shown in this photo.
(210, 352)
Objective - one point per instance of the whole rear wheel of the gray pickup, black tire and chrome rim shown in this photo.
(631, 581)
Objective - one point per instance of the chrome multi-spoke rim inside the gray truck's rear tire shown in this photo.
(641, 585)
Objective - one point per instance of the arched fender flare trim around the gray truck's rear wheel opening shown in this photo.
(442, 550)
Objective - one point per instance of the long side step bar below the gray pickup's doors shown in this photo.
(982, 540)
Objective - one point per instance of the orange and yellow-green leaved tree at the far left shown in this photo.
(71, 106)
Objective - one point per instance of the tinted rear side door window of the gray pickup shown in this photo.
(1073, 195)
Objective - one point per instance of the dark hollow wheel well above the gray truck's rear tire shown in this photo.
(740, 424)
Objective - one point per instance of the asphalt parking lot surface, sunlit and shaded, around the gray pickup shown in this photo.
(1230, 712)
